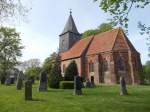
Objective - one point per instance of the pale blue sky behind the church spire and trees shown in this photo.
(46, 20)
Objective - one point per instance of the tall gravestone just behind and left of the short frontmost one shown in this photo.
(19, 83)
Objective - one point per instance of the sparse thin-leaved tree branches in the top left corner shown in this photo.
(11, 8)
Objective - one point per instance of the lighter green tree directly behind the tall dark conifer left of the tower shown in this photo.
(49, 62)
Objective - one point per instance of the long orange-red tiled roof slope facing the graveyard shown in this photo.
(94, 44)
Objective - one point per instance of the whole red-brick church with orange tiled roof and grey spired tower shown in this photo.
(100, 58)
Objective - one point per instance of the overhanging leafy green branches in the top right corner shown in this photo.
(120, 9)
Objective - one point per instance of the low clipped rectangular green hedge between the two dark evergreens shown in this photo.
(66, 85)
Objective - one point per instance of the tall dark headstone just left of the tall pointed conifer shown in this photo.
(43, 81)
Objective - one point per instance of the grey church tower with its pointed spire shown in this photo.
(69, 36)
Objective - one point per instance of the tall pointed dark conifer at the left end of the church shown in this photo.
(55, 74)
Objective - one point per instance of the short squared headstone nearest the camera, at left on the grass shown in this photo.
(28, 90)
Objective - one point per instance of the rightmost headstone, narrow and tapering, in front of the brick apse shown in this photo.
(123, 89)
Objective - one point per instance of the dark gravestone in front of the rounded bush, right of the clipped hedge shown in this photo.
(77, 85)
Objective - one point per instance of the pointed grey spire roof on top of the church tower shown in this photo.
(70, 25)
